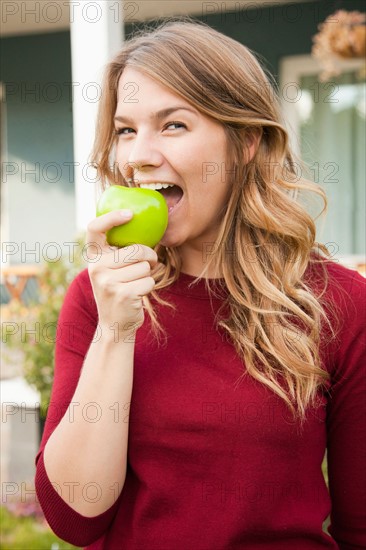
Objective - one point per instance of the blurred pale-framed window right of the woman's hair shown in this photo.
(326, 122)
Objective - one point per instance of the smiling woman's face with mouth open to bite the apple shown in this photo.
(163, 139)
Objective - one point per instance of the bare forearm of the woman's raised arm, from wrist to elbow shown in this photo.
(88, 450)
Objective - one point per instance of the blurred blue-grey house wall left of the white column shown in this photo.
(38, 181)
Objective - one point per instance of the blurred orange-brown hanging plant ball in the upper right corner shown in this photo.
(341, 36)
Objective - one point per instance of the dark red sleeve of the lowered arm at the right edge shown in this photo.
(346, 448)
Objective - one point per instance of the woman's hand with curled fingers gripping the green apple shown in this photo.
(119, 276)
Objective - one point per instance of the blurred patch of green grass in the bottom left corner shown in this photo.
(20, 533)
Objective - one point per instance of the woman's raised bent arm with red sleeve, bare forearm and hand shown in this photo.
(83, 455)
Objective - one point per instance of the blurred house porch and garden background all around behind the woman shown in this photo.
(52, 59)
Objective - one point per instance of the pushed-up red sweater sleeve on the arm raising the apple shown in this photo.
(76, 327)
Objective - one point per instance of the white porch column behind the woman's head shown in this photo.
(97, 33)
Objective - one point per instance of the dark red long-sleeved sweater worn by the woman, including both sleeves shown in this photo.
(214, 465)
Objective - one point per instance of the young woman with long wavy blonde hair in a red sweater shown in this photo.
(198, 385)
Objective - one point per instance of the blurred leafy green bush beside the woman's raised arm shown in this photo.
(37, 323)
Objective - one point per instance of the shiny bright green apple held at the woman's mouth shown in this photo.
(150, 215)
